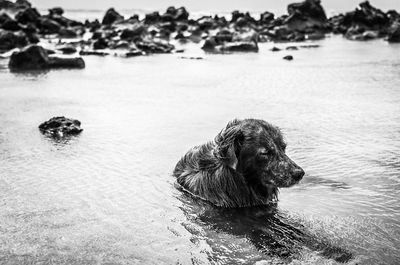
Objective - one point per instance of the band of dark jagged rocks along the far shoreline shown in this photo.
(23, 27)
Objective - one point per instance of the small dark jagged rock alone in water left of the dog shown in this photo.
(61, 127)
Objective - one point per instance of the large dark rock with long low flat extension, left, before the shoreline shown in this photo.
(34, 57)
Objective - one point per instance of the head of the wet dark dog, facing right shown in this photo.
(256, 150)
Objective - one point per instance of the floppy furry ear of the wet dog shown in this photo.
(229, 142)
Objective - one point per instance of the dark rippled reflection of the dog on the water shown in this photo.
(271, 231)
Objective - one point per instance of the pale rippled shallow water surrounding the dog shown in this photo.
(107, 196)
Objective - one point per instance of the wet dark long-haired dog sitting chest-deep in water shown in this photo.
(243, 167)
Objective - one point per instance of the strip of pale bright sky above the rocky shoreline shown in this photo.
(278, 6)
